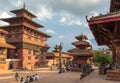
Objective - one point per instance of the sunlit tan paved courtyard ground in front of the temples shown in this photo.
(54, 77)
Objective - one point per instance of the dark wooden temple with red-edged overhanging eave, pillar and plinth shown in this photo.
(106, 31)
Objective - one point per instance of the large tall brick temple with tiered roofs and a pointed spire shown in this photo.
(23, 33)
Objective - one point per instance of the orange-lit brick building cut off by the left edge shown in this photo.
(4, 62)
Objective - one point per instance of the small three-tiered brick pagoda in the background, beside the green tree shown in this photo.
(82, 53)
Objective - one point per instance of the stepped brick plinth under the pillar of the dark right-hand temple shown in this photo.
(113, 74)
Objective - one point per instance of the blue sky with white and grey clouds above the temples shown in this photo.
(62, 19)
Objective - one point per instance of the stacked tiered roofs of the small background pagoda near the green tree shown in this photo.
(81, 46)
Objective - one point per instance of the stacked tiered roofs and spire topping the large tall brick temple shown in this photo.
(23, 18)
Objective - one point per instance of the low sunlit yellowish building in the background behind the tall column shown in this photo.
(53, 58)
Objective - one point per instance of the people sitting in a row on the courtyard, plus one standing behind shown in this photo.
(28, 78)
